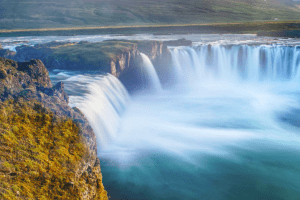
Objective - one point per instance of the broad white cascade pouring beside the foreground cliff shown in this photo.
(103, 105)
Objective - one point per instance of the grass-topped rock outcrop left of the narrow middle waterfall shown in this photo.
(108, 56)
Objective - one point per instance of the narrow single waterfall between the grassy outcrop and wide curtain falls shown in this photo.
(150, 74)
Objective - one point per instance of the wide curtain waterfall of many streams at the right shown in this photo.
(237, 62)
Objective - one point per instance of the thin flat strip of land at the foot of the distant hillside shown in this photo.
(217, 28)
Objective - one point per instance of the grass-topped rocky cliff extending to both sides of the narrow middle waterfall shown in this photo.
(120, 58)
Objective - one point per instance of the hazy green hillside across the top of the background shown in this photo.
(24, 14)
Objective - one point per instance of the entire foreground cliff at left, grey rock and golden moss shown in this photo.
(47, 149)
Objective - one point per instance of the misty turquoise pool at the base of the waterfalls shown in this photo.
(208, 141)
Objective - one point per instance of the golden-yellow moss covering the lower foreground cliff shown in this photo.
(38, 153)
